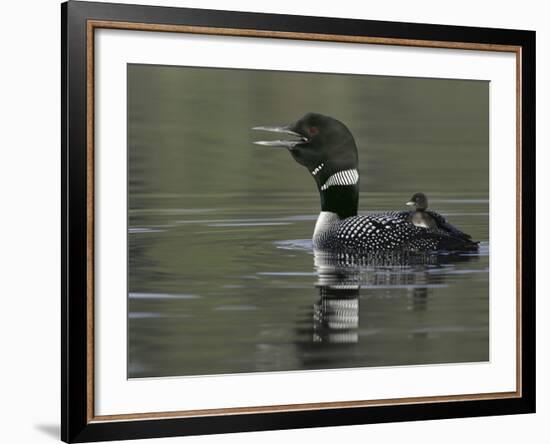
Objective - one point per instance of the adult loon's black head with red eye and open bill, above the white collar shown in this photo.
(322, 144)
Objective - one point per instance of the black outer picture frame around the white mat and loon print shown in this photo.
(76, 423)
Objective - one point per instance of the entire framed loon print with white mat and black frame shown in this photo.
(276, 221)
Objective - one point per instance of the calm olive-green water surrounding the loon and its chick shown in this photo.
(222, 277)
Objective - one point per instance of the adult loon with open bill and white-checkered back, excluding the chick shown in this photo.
(326, 147)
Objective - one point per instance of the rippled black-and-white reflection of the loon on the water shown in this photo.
(347, 282)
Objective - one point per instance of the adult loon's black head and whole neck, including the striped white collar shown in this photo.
(325, 146)
